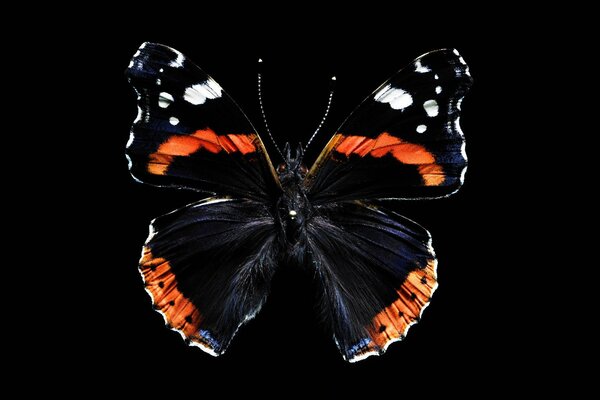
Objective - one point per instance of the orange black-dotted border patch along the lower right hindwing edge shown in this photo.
(393, 322)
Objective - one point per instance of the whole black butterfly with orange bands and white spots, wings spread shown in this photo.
(208, 266)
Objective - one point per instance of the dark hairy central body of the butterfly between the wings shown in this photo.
(293, 207)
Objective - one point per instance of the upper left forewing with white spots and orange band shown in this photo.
(190, 133)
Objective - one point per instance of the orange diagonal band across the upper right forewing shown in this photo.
(406, 153)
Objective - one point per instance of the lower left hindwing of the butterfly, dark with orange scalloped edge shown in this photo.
(208, 268)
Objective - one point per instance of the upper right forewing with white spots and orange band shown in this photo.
(404, 141)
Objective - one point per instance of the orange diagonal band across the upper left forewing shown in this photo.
(206, 139)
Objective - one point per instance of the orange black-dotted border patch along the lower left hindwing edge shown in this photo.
(160, 281)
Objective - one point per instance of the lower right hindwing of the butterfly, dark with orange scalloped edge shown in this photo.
(377, 273)
